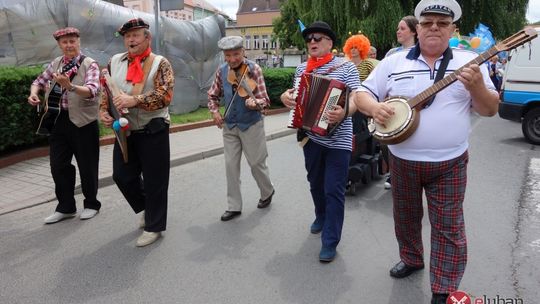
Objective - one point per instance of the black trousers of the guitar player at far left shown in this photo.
(68, 140)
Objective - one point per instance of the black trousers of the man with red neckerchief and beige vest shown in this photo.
(144, 179)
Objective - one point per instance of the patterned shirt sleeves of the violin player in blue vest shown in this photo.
(216, 90)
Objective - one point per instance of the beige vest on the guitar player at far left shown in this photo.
(82, 111)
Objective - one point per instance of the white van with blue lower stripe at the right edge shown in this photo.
(520, 89)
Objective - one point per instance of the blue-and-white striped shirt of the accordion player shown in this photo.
(348, 74)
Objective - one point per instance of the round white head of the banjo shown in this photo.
(398, 122)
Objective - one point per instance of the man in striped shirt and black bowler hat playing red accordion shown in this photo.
(327, 157)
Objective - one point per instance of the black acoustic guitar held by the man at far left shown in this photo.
(49, 110)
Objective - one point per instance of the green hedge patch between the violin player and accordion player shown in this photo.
(277, 81)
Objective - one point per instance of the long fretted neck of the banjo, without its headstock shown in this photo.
(420, 99)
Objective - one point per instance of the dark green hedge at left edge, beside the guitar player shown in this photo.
(18, 119)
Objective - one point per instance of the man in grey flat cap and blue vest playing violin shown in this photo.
(241, 84)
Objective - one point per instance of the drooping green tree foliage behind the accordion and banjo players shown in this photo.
(378, 19)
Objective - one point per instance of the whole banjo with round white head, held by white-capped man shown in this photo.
(406, 116)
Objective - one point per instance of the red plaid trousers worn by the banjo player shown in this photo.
(444, 184)
